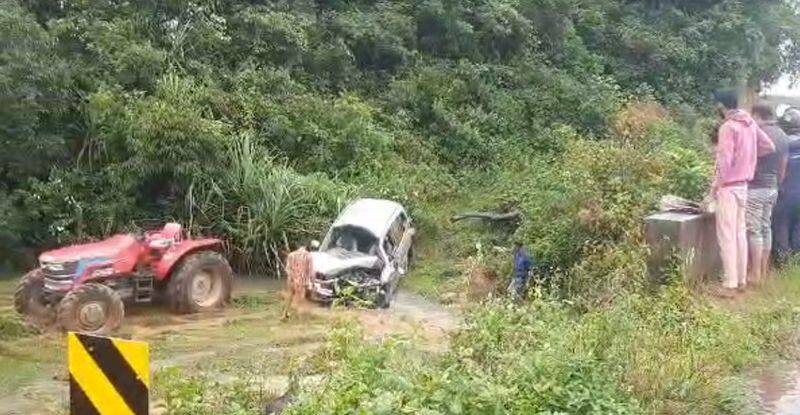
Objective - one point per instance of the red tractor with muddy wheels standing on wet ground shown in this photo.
(84, 287)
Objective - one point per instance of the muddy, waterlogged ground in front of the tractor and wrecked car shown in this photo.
(246, 335)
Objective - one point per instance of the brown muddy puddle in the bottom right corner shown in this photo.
(779, 389)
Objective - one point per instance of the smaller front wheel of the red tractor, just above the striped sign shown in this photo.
(92, 309)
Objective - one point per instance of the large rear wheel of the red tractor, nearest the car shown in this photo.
(202, 282)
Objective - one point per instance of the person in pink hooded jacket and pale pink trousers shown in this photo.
(740, 142)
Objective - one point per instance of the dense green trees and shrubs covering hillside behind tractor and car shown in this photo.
(408, 100)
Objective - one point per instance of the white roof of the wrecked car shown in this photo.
(374, 215)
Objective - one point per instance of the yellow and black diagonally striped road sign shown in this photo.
(108, 376)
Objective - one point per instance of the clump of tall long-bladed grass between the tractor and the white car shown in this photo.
(259, 205)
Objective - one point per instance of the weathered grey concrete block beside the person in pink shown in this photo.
(691, 238)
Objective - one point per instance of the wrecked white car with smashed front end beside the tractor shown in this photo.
(365, 253)
